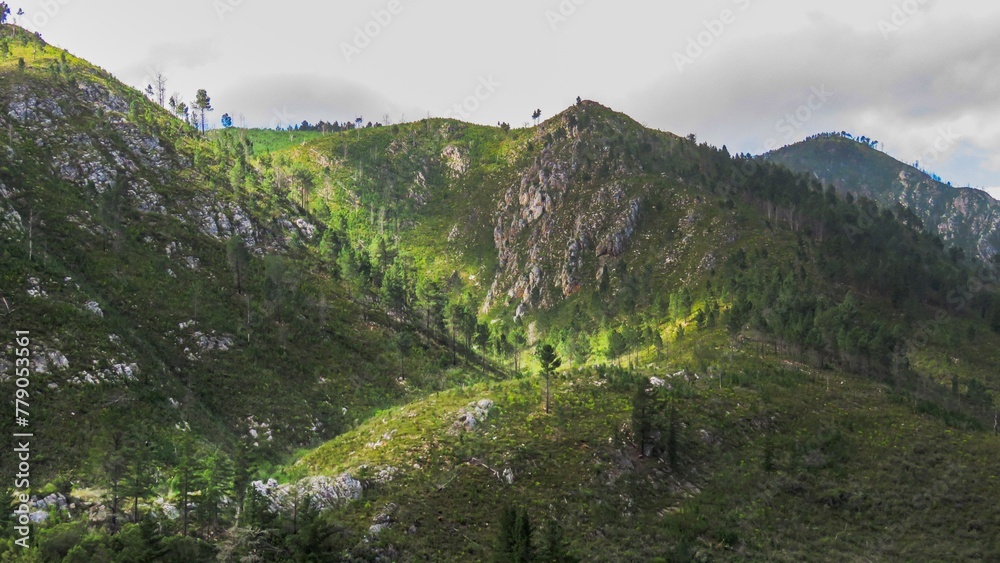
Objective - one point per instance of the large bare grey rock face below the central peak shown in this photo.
(575, 208)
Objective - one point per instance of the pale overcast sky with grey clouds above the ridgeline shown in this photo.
(921, 76)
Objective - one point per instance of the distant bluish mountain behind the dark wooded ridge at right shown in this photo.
(963, 217)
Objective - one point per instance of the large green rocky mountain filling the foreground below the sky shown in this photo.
(284, 345)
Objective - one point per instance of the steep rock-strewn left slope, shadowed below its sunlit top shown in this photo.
(158, 297)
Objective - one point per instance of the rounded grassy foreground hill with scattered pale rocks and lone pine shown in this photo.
(854, 471)
